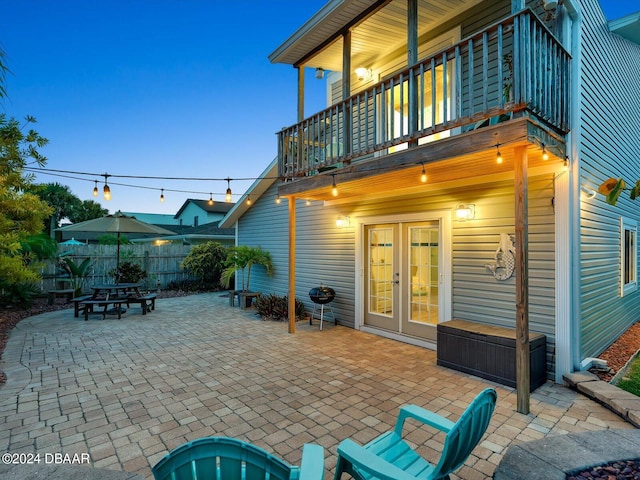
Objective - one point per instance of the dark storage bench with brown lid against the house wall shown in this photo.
(489, 352)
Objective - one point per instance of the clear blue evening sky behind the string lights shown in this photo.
(164, 88)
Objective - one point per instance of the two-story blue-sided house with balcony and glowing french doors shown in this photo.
(515, 114)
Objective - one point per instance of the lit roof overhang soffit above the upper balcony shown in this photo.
(384, 31)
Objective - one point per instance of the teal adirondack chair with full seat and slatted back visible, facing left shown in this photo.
(389, 457)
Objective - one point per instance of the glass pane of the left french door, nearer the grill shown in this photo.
(381, 271)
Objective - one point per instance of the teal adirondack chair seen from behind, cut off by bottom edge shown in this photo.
(218, 458)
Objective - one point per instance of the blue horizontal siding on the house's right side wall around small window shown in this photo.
(609, 147)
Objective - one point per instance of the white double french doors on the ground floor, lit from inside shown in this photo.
(406, 276)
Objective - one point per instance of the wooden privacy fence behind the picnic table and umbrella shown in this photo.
(162, 263)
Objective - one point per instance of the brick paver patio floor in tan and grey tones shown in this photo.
(128, 391)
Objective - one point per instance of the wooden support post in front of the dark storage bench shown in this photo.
(523, 370)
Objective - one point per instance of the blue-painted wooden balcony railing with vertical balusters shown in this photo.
(513, 66)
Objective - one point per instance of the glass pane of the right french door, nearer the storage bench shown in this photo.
(423, 265)
